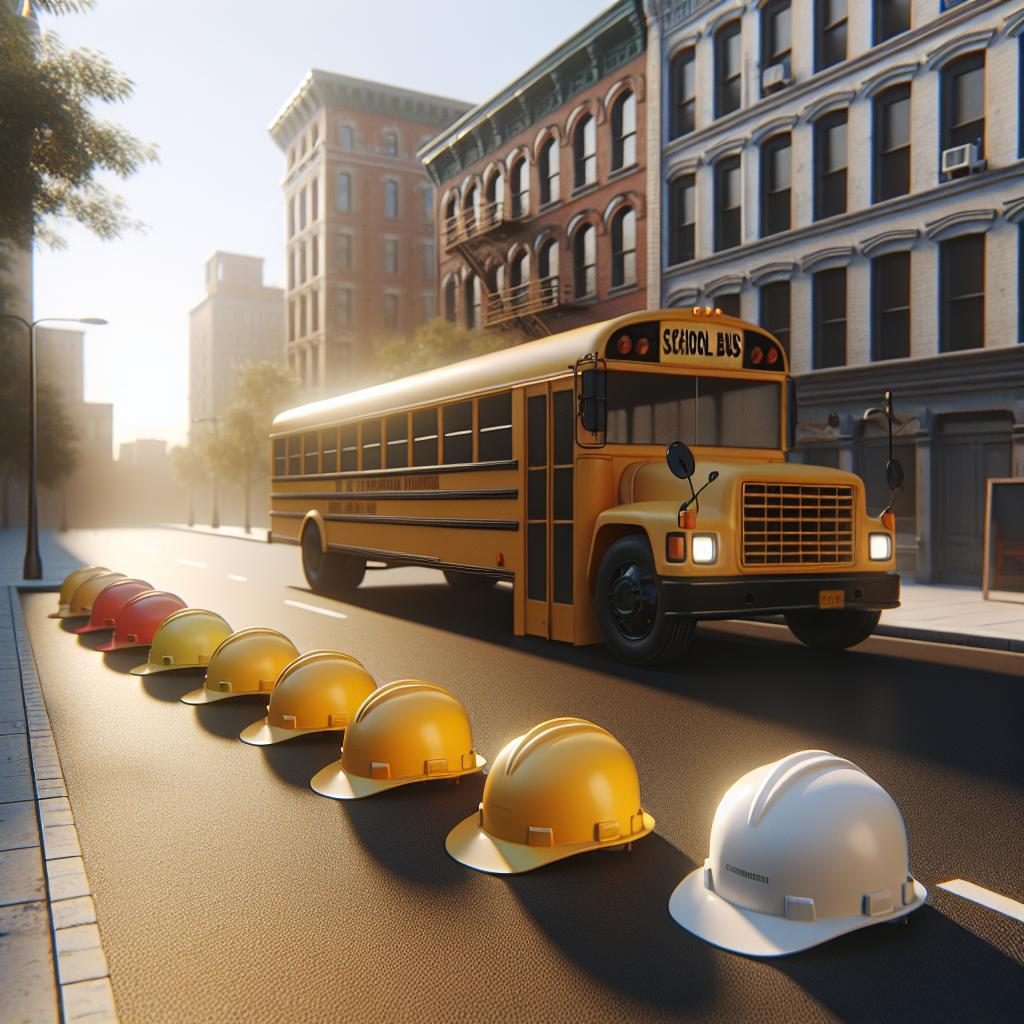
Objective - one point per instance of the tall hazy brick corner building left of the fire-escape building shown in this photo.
(359, 222)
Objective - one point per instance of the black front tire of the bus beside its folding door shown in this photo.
(629, 608)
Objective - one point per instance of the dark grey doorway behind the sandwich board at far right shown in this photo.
(970, 449)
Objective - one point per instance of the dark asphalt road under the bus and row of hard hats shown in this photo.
(227, 890)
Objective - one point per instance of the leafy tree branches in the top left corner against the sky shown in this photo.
(52, 145)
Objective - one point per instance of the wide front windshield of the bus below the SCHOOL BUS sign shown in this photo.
(658, 409)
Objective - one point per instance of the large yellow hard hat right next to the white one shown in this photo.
(565, 788)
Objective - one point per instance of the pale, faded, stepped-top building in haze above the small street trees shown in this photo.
(239, 321)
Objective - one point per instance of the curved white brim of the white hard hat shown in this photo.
(715, 920)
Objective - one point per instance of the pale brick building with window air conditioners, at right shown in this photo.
(850, 177)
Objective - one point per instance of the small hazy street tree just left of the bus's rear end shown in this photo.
(239, 449)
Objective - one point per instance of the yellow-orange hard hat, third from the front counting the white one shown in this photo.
(407, 732)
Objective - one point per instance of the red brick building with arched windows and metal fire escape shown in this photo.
(542, 218)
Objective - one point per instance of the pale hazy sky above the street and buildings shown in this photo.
(210, 76)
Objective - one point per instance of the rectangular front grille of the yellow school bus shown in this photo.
(798, 525)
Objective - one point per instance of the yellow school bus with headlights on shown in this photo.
(545, 465)
